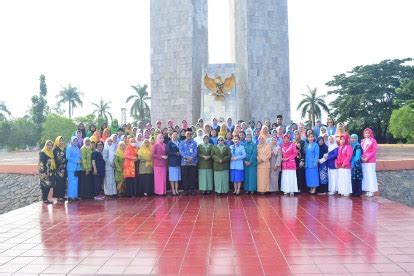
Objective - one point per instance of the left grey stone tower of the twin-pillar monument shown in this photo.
(179, 49)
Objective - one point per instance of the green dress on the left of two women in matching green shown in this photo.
(205, 168)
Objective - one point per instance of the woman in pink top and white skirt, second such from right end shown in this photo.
(343, 164)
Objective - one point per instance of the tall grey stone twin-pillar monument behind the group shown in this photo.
(179, 61)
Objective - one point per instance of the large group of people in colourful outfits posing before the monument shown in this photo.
(126, 161)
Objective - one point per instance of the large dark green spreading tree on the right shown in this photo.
(367, 95)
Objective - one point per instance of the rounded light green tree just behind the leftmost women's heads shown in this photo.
(55, 126)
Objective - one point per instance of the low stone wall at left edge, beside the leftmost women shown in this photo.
(18, 190)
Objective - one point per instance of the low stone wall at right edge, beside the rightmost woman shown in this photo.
(397, 185)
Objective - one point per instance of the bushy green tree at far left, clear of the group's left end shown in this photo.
(20, 136)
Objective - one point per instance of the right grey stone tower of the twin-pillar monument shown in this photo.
(262, 58)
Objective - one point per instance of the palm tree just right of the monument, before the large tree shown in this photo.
(312, 105)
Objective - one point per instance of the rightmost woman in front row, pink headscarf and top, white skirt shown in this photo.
(369, 159)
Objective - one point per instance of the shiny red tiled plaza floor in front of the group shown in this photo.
(195, 235)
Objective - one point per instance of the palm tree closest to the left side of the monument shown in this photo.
(139, 109)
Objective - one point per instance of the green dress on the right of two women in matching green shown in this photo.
(221, 170)
